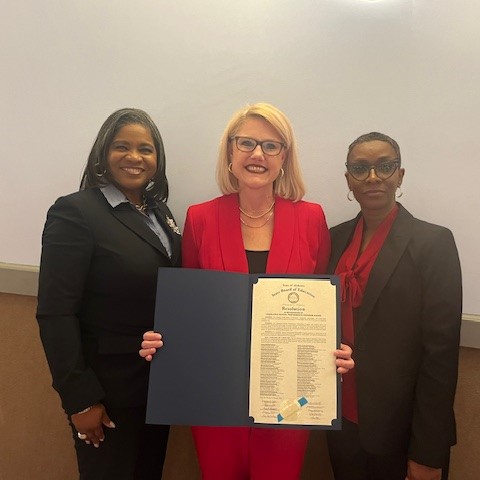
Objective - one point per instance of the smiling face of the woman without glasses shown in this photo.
(132, 160)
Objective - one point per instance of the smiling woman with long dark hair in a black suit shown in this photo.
(102, 247)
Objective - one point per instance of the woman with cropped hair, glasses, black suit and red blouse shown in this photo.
(401, 314)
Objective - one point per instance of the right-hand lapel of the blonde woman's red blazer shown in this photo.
(283, 236)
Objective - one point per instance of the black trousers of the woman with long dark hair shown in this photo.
(131, 451)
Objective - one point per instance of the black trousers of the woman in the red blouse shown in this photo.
(351, 462)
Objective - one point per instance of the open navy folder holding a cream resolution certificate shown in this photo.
(244, 349)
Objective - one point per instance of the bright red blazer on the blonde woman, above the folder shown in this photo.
(212, 237)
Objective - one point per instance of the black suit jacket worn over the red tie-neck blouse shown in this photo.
(407, 339)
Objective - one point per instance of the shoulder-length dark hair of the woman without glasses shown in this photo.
(96, 172)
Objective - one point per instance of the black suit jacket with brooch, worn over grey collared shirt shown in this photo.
(96, 297)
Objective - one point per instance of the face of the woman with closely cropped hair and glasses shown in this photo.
(374, 194)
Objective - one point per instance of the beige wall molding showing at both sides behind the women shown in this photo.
(23, 280)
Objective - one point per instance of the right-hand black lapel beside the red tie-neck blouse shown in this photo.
(386, 262)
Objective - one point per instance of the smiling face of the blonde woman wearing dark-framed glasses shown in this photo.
(255, 169)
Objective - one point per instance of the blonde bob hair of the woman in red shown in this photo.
(290, 185)
